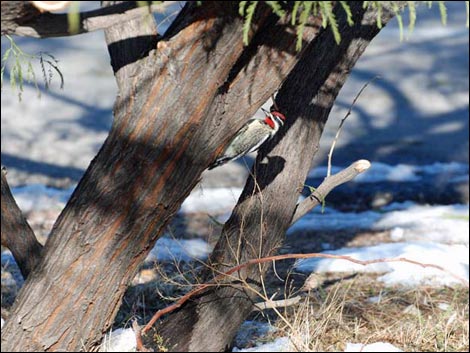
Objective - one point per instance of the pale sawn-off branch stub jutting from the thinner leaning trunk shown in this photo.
(330, 182)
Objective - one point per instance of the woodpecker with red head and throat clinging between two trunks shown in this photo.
(251, 136)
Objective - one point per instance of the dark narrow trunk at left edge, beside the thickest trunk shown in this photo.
(17, 235)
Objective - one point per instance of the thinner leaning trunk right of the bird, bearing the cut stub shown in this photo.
(264, 211)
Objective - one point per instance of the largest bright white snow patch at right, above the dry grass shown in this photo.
(428, 234)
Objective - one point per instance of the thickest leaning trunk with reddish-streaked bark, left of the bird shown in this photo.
(179, 101)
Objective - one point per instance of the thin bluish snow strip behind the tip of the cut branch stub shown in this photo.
(379, 172)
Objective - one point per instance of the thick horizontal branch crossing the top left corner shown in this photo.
(22, 19)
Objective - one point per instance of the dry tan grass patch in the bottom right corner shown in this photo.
(413, 319)
